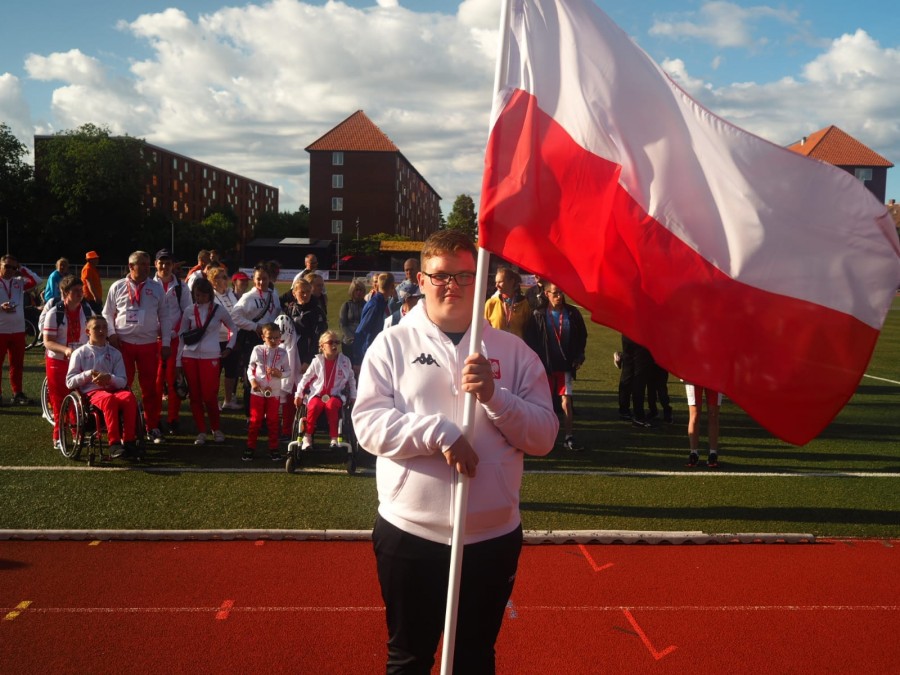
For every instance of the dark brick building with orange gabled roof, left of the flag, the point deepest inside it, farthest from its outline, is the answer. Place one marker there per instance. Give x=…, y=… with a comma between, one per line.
x=361, y=184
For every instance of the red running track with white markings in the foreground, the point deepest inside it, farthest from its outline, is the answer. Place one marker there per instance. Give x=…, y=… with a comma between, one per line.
x=314, y=607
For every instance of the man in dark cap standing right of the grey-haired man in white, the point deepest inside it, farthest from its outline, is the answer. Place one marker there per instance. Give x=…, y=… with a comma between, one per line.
x=177, y=300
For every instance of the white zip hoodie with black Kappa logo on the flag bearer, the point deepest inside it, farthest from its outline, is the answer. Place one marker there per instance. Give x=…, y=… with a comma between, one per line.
x=409, y=410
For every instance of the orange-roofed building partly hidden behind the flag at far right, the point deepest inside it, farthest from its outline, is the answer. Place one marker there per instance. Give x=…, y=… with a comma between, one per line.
x=839, y=148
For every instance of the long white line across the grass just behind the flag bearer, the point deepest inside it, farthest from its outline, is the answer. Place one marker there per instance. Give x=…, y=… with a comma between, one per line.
x=549, y=472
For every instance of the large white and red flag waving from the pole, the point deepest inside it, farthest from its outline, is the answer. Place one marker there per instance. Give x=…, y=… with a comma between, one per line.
x=742, y=266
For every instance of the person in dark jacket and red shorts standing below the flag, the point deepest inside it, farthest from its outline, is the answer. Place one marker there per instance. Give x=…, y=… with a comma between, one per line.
x=559, y=337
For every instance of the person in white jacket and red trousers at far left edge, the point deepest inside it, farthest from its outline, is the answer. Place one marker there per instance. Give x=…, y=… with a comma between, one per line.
x=15, y=281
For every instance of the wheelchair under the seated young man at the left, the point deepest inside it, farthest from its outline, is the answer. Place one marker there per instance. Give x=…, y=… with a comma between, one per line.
x=82, y=427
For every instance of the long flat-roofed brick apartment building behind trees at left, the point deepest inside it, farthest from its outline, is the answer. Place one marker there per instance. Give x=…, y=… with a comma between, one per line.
x=184, y=188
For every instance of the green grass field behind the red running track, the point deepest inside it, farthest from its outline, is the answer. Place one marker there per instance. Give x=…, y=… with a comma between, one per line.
x=624, y=479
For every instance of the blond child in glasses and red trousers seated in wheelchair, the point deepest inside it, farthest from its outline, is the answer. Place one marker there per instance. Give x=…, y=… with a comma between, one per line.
x=329, y=374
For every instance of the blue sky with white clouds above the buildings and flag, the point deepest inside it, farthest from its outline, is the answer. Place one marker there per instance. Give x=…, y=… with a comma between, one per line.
x=247, y=86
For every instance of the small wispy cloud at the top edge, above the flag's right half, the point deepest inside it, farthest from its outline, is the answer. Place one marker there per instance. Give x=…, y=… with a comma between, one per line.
x=723, y=24
